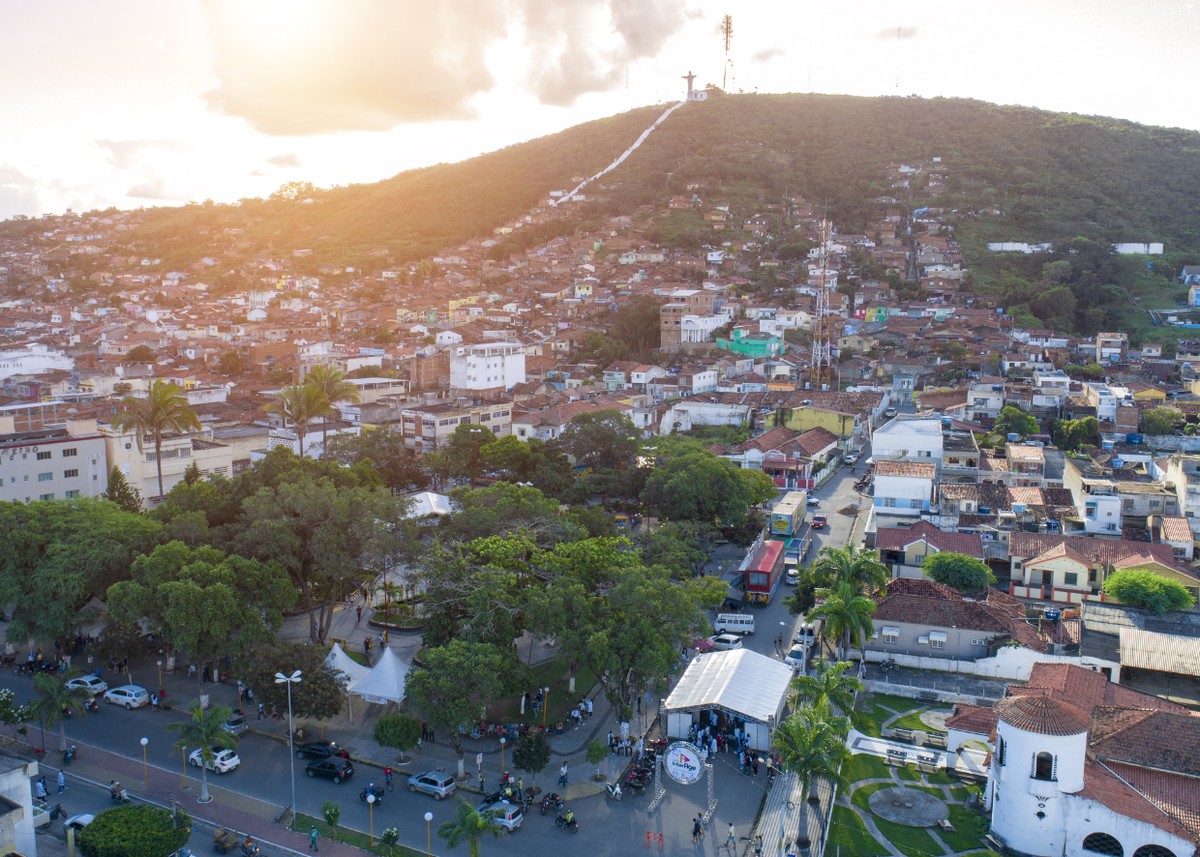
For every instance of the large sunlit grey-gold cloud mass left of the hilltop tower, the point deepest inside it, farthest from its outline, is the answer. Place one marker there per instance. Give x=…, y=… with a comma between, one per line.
x=309, y=67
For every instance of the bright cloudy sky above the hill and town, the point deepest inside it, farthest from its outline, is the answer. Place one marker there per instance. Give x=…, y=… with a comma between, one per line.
x=134, y=104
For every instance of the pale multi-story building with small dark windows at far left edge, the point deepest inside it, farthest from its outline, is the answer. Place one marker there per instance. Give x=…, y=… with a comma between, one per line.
x=53, y=463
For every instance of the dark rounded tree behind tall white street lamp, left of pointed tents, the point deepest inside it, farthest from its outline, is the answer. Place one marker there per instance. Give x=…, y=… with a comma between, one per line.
x=321, y=692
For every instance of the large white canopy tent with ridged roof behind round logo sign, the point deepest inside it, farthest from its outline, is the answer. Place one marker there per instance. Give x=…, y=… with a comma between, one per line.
x=742, y=685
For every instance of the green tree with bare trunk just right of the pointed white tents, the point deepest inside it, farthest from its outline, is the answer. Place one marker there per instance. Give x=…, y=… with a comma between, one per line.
x=455, y=680
